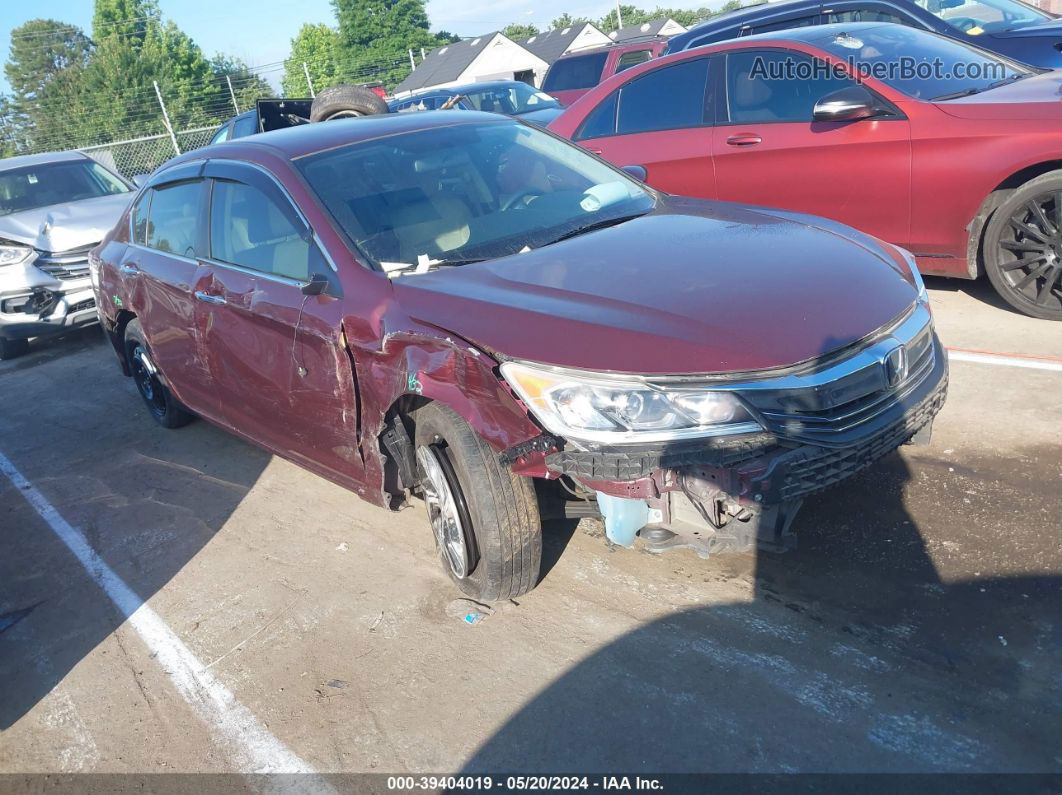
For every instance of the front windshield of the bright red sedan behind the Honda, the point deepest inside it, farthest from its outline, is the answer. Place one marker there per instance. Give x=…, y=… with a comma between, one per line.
x=922, y=65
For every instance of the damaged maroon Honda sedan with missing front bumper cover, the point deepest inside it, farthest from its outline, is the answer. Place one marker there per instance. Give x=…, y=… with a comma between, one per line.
x=466, y=308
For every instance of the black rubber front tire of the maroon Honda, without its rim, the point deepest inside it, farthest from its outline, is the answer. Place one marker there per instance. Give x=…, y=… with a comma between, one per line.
x=505, y=529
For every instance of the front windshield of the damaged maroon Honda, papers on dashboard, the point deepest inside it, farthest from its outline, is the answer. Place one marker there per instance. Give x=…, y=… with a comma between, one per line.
x=468, y=192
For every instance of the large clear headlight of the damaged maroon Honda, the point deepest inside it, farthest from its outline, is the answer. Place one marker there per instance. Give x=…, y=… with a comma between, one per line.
x=616, y=411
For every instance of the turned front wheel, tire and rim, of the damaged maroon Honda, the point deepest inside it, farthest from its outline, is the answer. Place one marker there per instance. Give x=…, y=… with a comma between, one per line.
x=485, y=519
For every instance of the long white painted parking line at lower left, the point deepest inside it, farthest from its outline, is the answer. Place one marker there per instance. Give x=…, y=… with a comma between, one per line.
x=253, y=749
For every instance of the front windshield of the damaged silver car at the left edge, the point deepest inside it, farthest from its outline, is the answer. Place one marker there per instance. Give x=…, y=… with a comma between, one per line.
x=31, y=187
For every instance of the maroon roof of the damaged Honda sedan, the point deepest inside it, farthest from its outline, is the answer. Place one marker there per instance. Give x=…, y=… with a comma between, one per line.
x=306, y=140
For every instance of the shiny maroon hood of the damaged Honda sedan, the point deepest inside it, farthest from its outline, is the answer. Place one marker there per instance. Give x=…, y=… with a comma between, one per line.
x=694, y=287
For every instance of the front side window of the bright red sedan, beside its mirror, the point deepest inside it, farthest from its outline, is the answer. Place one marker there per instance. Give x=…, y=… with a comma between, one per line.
x=777, y=87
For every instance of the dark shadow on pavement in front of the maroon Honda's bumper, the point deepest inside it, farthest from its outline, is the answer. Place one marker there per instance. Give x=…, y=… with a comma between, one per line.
x=851, y=654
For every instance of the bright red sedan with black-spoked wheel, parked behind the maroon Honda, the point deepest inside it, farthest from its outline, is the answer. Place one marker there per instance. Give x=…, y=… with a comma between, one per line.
x=941, y=148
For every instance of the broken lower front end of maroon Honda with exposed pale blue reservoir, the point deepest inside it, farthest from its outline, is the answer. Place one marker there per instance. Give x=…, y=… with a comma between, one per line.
x=742, y=494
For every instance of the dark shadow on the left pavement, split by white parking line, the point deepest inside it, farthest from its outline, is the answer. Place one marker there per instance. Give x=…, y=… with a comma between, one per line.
x=147, y=500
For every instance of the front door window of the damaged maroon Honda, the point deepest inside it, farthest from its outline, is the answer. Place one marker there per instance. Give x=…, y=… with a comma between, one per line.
x=251, y=230
